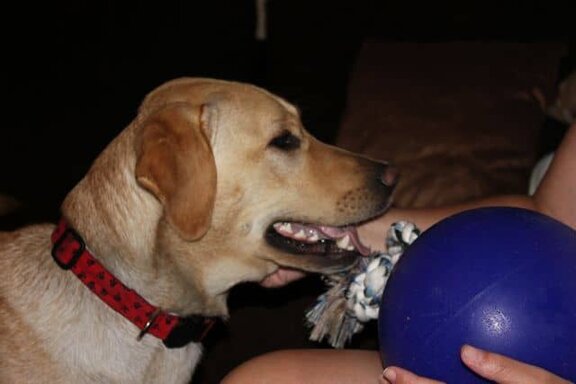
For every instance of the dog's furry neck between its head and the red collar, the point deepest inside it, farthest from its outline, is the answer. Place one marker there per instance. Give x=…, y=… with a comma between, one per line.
x=130, y=245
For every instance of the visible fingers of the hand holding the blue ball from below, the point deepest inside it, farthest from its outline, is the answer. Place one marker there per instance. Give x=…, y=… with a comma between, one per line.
x=492, y=366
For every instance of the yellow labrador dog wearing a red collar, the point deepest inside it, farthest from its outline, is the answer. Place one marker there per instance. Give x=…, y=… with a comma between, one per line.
x=214, y=183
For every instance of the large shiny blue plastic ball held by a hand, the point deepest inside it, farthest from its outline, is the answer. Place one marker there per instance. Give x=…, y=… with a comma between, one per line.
x=498, y=278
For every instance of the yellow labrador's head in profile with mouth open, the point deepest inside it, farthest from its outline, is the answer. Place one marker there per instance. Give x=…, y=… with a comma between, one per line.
x=243, y=189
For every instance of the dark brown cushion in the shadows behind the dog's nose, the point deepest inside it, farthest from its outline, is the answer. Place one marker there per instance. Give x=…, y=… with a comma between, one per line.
x=460, y=119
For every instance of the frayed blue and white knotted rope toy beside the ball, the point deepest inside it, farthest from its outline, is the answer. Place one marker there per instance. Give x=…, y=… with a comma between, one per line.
x=353, y=297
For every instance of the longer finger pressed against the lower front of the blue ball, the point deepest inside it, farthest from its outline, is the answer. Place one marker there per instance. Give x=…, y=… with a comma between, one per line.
x=505, y=370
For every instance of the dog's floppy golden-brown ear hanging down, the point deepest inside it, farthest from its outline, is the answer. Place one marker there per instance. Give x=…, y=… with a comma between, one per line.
x=176, y=164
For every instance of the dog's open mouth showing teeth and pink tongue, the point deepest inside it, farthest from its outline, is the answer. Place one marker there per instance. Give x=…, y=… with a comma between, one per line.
x=316, y=240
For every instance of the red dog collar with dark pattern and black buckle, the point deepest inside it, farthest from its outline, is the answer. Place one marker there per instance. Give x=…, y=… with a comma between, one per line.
x=70, y=253
